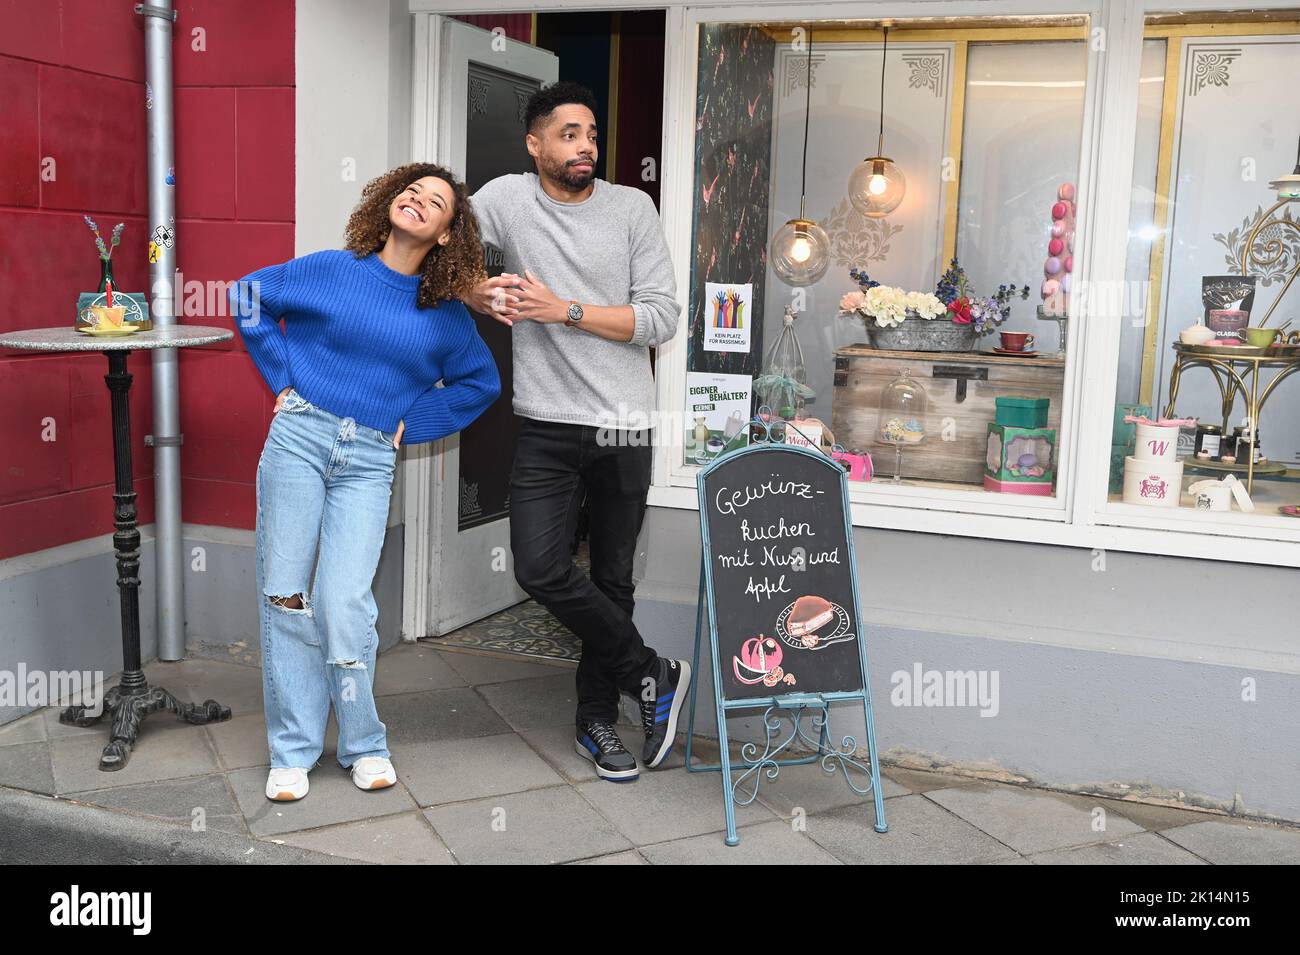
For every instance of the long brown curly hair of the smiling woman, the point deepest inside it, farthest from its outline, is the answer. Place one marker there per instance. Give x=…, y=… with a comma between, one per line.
x=448, y=272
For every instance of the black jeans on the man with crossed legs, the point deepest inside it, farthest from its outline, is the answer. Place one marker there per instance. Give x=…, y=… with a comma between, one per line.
x=552, y=463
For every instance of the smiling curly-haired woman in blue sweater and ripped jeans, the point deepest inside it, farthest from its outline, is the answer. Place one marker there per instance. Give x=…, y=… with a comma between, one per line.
x=367, y=335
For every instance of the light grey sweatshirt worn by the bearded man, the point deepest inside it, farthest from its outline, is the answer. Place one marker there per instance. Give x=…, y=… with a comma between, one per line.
x=608, y=250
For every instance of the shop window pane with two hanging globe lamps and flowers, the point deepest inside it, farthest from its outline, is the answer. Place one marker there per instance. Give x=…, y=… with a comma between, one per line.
x=983, y=119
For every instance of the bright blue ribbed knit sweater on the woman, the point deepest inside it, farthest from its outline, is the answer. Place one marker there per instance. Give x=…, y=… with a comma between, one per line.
x=356, y=345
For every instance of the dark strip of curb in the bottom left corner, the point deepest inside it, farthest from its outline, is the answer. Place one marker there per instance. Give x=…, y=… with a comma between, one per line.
x=38, y=830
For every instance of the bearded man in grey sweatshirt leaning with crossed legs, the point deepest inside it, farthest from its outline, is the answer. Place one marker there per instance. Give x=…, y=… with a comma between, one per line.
x=591, y=288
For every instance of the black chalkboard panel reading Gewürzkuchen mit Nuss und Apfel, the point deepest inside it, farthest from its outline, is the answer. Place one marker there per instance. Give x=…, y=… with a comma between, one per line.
x=779, y=574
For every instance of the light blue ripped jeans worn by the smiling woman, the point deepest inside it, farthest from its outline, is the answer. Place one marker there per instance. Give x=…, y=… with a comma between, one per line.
x=324, y=485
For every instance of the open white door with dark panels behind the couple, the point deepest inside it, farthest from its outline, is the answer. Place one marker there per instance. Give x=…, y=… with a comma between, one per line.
x=469, y=102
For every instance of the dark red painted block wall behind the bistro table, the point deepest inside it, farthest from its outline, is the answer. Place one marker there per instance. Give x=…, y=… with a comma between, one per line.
x=73, y=76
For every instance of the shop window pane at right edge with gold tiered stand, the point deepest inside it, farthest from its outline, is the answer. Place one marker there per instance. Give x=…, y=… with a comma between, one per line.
x=1211, y=335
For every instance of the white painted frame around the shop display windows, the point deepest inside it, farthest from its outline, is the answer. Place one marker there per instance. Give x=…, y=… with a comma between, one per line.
x=1080, y=515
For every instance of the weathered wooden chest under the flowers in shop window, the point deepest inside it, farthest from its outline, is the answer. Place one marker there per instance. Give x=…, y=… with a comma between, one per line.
x=861, y=372
